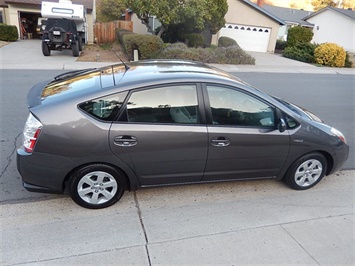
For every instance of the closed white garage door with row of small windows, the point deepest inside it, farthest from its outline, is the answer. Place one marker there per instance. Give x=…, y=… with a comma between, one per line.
x=249, y=38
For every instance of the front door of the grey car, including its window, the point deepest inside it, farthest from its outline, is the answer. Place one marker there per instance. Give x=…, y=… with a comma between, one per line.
x=243, y=138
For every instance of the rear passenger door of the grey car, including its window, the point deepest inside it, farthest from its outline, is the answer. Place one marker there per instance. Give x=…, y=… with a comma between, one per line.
x=161, y=136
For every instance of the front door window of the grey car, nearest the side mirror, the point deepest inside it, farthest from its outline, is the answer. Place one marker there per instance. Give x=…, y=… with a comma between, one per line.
x=236, y=108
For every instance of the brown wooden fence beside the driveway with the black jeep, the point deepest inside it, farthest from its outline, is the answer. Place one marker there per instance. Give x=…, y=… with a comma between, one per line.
x=105, y=32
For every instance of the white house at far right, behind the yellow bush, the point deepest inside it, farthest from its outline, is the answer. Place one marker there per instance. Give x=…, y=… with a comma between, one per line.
x=334, y=25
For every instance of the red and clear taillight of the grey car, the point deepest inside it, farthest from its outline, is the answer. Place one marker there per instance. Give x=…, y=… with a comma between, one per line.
x=31, y=133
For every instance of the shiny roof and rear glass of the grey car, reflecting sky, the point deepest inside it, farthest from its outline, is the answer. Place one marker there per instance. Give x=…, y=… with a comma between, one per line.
x=111, y=79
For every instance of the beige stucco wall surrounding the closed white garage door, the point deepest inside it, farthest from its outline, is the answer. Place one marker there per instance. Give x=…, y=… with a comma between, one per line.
x=241, y=13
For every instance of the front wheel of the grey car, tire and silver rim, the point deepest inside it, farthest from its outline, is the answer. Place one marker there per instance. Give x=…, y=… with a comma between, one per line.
x=306, y=172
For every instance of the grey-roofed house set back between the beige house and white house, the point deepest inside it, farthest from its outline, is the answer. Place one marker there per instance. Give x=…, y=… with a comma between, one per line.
x=292, y=17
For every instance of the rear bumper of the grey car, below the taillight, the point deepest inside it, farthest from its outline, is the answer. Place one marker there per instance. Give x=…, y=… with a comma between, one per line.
x=43, y=172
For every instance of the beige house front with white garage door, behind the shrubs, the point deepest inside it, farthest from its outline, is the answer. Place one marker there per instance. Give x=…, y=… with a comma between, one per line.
x=254, y=28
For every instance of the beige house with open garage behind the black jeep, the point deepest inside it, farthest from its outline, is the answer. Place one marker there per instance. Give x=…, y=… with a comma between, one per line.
x=17, y=12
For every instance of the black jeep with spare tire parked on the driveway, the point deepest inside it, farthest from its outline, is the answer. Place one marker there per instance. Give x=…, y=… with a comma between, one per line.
x=59, y=34
